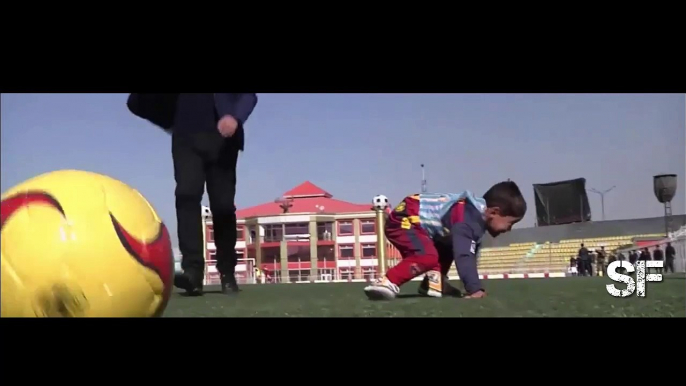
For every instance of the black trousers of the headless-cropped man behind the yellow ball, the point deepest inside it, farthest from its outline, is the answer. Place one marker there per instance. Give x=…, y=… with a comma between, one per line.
x=205, y=158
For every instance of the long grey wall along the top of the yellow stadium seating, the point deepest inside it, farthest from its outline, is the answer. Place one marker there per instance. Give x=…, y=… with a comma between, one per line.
x=555, y=233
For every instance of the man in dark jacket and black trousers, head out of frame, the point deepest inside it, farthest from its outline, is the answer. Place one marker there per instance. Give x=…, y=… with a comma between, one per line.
x=207, y=134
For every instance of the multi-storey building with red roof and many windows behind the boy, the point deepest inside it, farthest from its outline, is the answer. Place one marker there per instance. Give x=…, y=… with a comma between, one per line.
x=304, y=235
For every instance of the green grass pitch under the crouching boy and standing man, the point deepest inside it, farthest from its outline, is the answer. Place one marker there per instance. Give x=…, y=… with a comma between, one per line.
x=568, y=297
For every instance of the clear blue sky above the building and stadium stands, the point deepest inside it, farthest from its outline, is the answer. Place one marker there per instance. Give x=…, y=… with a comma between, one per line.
x=359, y=145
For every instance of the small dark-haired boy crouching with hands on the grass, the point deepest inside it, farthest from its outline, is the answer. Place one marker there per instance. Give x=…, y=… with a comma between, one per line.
x=434, y=229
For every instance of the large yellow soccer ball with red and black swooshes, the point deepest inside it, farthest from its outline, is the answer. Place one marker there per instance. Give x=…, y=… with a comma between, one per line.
x=81, y=244
